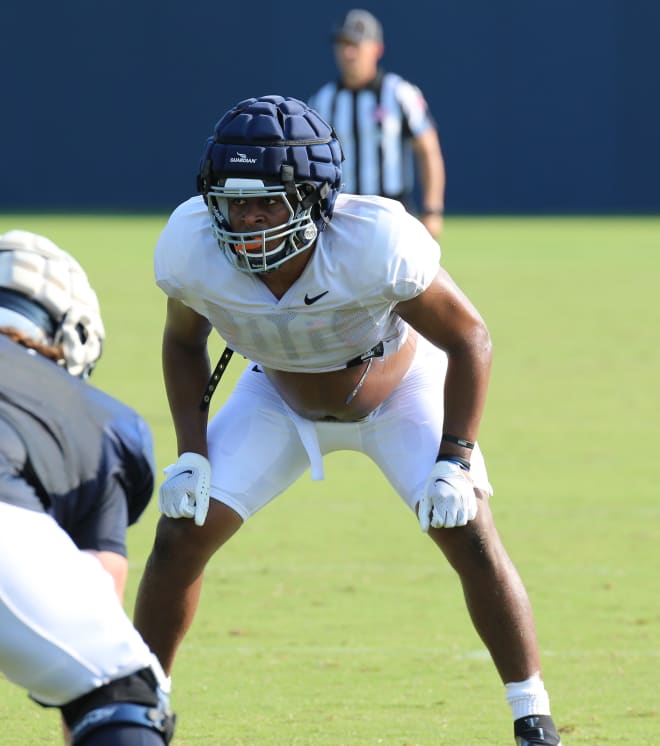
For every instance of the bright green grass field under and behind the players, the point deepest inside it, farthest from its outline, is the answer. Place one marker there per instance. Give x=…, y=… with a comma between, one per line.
x=331, y=620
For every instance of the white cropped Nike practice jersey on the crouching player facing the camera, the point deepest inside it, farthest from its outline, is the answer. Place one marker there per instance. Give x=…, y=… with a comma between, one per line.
x=372, y=255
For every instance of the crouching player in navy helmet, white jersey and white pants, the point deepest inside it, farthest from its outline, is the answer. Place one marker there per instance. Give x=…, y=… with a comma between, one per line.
x=357, y=339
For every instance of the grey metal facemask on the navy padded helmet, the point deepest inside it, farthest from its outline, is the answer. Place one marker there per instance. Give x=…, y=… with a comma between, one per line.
x=253, y=251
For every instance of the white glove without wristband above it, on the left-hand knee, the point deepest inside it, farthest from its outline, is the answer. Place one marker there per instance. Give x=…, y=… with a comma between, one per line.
x=185, y=492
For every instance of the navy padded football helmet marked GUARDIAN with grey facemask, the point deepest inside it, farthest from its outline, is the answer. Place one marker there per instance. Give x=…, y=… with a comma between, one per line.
x=271, y=147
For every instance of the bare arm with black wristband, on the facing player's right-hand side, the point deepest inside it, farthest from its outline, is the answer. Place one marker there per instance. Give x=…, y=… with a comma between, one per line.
x=447, y=318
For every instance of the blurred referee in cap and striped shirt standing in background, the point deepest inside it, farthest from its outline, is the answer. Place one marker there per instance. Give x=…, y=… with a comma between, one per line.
x=382, y=120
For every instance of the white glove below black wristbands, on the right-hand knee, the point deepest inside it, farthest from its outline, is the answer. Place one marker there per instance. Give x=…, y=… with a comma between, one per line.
x=449, y=499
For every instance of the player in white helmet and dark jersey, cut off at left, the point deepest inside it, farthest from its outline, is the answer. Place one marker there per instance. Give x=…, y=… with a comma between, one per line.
x=76, y=468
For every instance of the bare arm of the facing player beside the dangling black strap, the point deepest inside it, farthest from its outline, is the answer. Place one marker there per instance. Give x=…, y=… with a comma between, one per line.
x=186, y=371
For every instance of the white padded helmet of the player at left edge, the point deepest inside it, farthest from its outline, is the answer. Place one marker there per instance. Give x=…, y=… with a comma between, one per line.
x=36, y=276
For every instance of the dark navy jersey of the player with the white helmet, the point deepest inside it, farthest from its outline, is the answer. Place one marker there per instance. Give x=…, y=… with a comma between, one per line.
x=71, y=450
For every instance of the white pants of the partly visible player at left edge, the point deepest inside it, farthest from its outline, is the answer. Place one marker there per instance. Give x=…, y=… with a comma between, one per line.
x=63, y=631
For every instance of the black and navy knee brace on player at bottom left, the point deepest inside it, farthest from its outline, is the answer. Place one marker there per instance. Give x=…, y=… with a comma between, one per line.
x=131, y=711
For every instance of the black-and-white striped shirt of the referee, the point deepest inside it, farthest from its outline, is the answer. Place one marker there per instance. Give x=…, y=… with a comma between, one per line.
x=376, y=126
